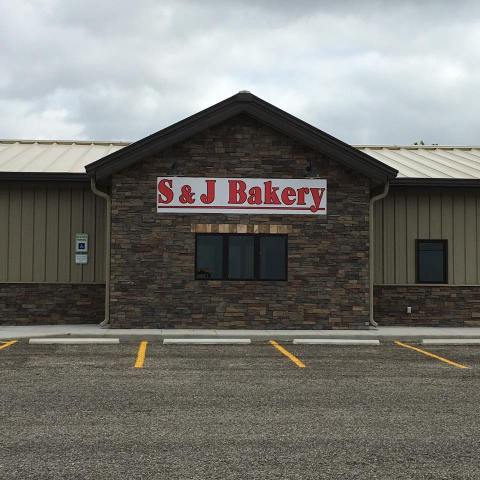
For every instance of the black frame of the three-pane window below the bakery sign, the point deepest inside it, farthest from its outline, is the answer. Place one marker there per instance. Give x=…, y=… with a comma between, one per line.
x=256, y=257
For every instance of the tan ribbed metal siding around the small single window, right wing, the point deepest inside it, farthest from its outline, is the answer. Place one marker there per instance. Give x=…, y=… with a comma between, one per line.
x=405, y=215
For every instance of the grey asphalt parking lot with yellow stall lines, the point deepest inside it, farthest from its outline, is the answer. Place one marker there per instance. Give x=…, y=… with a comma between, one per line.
x=236, y=412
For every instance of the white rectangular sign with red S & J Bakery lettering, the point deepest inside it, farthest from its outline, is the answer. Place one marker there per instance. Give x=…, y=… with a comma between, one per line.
x=251, y=196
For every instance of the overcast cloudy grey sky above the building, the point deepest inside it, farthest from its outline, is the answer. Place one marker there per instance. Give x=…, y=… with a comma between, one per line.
x=365, y=71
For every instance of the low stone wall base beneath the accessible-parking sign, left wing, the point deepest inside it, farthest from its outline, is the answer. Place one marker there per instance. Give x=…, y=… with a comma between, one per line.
x=51, y=303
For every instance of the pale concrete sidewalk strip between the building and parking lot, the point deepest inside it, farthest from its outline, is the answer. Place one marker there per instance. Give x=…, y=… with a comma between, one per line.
x=382, y=333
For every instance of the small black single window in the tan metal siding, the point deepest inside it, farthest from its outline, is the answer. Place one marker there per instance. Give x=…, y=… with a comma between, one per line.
x=432, y=261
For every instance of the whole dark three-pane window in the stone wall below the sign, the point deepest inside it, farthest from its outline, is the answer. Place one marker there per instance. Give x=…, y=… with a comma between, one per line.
x=241, y=257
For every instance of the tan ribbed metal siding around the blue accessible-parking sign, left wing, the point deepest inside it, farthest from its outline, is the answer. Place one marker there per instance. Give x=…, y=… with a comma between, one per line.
x=37, y=232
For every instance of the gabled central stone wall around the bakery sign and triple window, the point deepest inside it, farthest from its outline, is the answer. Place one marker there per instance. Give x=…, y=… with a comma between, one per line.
x=153, y=255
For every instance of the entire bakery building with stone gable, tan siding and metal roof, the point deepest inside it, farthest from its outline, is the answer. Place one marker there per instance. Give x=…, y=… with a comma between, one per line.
x=240, y=216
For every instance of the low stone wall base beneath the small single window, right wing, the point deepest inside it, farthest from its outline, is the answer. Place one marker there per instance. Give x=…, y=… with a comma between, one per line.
x=432, y=305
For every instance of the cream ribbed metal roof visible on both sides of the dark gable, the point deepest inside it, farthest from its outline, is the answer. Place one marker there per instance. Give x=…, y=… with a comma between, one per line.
x=412, y=161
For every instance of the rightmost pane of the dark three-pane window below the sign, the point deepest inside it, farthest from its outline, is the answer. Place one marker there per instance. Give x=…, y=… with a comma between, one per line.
x=273, y=257
